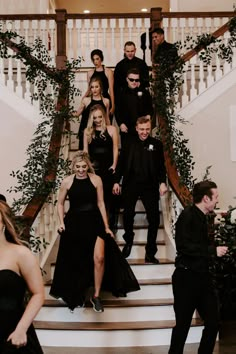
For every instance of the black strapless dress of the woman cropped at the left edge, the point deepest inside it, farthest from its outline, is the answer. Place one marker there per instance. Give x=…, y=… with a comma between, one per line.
x=12, y=293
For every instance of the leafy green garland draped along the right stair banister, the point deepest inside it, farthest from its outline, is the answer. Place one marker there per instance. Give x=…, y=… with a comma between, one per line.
x=167, y=82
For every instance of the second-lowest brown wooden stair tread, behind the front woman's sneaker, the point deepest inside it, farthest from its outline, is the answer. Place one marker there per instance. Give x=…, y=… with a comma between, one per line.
x=116, y=302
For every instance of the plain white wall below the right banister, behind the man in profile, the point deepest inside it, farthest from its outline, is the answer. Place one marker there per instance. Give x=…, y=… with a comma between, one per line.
x=210, y=144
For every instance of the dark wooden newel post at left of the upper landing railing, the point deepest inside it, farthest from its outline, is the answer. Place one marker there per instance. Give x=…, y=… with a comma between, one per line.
x=61, y=38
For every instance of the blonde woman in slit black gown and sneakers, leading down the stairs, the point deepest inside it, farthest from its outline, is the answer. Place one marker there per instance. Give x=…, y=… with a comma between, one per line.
x=86, y=242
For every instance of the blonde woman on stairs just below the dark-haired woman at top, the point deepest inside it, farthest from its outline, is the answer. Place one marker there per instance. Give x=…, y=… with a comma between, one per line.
x=95, y=97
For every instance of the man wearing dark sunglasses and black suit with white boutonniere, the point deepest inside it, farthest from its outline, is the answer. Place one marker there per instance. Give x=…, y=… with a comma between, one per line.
x=134, y=102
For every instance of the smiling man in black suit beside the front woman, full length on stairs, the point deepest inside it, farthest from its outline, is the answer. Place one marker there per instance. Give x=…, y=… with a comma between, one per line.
x=141, y=163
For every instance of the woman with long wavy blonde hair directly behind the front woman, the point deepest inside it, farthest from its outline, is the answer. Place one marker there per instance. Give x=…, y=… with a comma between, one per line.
x=101, y=142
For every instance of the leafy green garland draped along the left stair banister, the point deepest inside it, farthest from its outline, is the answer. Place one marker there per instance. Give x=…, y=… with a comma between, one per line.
x=50, y=84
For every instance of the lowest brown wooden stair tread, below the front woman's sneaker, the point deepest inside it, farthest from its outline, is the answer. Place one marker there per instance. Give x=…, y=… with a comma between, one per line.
x=98, y=326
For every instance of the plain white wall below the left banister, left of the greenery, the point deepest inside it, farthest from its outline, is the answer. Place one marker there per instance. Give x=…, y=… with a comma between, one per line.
x=18, y=123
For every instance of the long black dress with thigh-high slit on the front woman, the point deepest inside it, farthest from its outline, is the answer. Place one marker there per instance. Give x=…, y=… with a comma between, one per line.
x=74, y=266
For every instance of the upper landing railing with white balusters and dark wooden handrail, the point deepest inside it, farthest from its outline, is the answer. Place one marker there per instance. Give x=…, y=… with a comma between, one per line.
x=74, y=35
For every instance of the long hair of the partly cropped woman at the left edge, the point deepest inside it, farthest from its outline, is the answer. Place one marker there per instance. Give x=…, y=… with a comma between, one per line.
x=9, y=223
